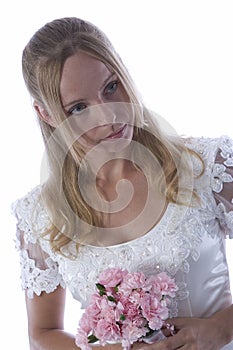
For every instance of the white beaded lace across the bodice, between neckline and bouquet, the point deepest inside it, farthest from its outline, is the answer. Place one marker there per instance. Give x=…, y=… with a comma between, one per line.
x=167, y=248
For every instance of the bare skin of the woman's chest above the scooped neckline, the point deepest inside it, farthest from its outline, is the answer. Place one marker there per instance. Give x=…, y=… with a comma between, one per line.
x=132, y=208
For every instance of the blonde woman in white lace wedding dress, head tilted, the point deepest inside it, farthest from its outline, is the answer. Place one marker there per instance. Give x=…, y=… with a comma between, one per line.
x=120, y=190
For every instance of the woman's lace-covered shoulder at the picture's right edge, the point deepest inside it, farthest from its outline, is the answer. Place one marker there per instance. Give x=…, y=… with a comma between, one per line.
x=215, y=185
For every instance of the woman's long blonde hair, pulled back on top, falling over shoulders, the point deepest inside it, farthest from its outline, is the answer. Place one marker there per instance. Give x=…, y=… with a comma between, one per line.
x=42, y=62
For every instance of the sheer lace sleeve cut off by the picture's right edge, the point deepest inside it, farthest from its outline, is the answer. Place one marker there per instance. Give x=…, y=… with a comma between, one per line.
x=222, y=185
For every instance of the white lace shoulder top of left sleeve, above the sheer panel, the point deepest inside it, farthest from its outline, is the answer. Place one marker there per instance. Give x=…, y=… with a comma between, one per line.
x=30, y=213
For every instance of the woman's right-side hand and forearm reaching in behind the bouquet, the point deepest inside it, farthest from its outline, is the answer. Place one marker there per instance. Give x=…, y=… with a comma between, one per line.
x=195, y=333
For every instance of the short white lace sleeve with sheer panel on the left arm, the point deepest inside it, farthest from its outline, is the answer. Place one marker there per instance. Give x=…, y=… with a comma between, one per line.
x=39, y=268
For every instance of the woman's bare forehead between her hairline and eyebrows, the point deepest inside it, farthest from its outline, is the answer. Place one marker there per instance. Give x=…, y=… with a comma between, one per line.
x=81, y=73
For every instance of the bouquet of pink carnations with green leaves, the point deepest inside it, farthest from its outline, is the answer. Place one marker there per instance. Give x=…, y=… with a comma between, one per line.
x=126, y=307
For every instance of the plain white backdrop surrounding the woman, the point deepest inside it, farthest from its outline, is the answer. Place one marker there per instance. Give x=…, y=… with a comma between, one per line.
x=180, y=54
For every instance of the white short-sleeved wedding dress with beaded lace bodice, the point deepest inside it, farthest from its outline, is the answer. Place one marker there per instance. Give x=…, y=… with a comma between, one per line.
x=188, y=243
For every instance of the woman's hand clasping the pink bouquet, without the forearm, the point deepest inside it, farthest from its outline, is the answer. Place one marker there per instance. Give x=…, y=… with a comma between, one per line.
x=192, y=334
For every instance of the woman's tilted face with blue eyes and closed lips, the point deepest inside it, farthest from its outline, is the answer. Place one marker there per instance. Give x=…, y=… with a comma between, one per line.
x=96, y=103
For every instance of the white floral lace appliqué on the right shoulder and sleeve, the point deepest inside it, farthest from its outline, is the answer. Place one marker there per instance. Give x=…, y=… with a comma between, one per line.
x=213, y=214
